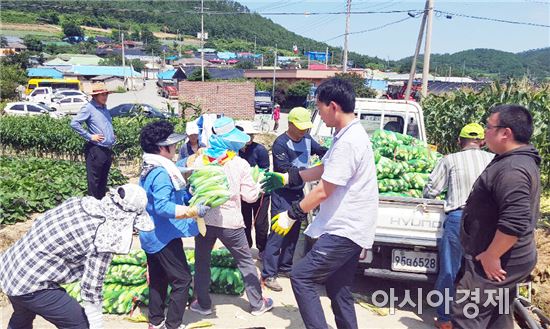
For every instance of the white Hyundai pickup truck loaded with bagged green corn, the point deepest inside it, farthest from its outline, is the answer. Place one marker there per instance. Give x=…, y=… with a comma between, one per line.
x=408, y=229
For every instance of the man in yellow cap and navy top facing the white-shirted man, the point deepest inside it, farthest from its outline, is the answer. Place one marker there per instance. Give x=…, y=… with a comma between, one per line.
x=290, y=150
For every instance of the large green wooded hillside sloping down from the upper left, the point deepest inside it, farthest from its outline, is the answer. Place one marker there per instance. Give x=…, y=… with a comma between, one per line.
x=227, y=20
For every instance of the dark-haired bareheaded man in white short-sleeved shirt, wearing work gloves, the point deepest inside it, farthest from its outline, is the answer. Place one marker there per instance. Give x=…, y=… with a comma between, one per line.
x=348, y=198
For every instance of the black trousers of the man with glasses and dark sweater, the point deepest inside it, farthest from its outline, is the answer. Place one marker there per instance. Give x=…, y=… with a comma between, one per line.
x=491, y=300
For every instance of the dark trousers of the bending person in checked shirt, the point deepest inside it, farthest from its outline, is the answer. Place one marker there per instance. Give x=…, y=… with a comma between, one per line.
x=54, y=305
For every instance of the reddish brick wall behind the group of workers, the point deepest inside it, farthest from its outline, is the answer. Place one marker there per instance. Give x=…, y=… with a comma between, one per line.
x=233, y=99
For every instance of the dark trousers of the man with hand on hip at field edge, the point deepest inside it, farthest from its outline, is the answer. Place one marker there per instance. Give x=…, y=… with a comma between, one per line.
x=98, y=164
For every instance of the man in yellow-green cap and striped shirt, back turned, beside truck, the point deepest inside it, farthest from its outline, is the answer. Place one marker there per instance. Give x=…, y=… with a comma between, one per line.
x=455, y=173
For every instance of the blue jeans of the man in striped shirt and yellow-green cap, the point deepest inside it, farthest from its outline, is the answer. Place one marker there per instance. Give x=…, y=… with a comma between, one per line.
x=450, y=257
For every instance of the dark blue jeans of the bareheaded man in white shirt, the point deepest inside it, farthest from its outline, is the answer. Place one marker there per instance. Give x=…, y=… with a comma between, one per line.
x=331, y=262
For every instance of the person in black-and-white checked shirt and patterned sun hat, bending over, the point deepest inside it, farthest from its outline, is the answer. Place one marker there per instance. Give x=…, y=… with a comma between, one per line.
x=74, y=241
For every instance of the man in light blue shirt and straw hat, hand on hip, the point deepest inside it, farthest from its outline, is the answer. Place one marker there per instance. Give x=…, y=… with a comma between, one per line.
x=100, y=138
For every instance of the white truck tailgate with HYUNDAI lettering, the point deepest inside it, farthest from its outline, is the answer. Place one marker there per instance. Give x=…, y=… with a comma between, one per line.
x=409, y=221
